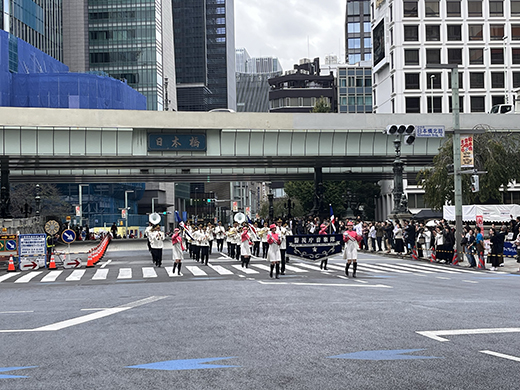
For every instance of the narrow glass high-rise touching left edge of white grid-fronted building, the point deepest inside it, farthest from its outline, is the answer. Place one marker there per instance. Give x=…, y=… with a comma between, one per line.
x=358, y=32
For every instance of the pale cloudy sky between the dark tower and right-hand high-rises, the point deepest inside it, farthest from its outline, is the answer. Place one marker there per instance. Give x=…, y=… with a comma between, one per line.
x=290, y=29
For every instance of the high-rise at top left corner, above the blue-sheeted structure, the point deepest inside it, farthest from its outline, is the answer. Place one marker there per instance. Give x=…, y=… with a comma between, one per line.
x=37, y=22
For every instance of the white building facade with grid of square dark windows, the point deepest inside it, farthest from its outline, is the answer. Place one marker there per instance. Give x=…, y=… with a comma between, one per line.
x=481, y=37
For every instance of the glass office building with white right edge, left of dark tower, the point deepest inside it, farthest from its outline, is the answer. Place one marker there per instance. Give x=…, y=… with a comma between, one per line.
x=133, y=40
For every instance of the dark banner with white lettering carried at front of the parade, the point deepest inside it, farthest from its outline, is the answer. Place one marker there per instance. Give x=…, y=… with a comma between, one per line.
x=316, y=247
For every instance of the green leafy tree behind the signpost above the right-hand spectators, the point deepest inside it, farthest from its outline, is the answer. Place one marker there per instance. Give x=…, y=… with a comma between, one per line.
x=496, y=153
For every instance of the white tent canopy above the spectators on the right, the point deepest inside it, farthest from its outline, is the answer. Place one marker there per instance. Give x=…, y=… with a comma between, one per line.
x=490, y=212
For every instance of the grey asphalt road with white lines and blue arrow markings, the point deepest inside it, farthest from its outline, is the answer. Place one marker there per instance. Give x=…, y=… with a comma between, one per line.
x=308, y=330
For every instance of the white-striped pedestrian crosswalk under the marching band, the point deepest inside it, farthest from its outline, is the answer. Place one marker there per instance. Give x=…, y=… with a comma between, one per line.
x=194, y=270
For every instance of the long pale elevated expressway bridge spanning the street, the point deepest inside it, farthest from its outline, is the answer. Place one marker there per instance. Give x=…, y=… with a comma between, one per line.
x=66, y=145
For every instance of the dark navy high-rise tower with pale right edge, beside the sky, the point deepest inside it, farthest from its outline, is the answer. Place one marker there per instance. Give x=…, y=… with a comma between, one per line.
x=204, y=54
